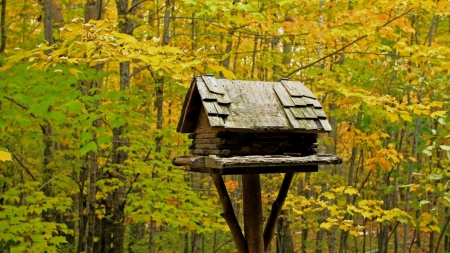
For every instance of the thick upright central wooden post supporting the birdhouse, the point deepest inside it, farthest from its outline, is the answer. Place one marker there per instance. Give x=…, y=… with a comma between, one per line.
x=253, y=220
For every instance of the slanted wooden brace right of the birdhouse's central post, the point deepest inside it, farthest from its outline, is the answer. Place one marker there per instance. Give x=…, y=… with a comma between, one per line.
x=269, y=230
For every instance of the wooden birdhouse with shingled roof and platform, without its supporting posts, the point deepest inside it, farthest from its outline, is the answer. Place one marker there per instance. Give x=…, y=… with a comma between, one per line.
x=278, y=121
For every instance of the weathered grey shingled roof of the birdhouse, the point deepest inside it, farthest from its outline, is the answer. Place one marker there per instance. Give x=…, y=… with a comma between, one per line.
x=253, y=105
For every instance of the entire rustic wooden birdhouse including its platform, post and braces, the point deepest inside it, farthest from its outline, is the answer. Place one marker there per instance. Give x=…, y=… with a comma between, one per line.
x=250, y=128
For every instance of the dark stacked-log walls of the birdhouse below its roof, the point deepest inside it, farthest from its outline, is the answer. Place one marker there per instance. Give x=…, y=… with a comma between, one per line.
x=207, y=141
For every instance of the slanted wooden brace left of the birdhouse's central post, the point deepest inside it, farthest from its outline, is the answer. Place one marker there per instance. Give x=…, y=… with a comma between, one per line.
x=229, y=216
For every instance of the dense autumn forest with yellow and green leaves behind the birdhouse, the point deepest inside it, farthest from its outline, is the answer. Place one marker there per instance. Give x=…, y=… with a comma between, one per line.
x=91, y=92
